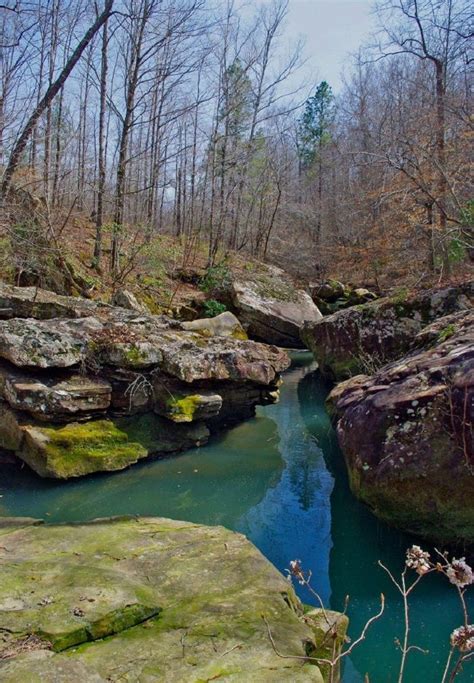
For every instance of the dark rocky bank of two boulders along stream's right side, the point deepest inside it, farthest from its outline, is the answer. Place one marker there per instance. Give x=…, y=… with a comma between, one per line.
x=405, y=425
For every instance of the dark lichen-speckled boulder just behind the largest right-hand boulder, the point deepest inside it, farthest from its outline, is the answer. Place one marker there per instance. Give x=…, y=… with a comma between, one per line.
x=362, y=338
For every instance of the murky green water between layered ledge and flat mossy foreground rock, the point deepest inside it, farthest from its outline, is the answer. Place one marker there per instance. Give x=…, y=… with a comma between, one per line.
x=211, y=485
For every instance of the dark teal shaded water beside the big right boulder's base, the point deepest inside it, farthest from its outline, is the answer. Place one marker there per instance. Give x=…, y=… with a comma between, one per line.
x=359, y=542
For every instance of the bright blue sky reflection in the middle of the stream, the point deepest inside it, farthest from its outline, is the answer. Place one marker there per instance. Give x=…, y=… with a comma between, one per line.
x=293, y=521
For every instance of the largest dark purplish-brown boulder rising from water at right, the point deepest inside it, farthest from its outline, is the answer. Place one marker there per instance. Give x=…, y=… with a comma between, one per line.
x=407, y=434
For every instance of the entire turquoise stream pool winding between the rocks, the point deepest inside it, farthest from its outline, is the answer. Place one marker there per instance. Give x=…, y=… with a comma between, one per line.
x=278, y=478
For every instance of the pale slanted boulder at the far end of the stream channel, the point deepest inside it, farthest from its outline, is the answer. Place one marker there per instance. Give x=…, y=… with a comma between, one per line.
x=272, y=309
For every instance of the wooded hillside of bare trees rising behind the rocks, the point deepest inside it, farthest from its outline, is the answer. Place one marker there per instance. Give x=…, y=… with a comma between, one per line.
x=137, y=130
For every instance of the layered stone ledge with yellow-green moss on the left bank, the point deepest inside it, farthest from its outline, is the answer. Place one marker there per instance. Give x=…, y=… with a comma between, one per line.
x=72, y=371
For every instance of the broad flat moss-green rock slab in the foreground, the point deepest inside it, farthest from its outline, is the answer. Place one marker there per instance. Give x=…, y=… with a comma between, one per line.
x=150, y=599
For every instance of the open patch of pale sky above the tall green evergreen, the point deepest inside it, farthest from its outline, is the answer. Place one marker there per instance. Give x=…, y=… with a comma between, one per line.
x=332, y=29
